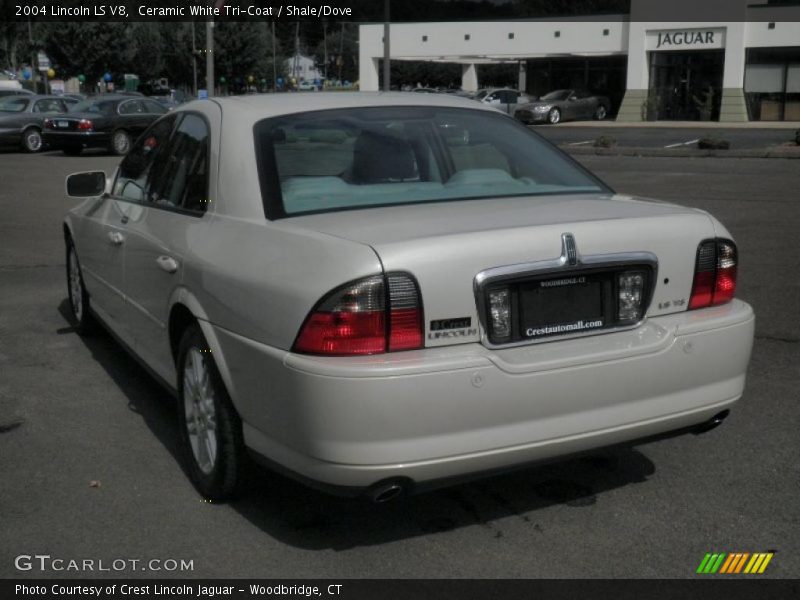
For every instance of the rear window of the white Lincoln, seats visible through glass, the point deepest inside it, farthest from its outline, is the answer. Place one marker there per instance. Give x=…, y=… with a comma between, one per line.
x=356, y=158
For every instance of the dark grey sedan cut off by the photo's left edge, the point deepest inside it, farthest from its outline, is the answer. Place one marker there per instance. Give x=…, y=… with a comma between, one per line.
x=22, y=118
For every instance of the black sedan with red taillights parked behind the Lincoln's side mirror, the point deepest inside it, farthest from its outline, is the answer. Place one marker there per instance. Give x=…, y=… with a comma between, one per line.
x=107, y=121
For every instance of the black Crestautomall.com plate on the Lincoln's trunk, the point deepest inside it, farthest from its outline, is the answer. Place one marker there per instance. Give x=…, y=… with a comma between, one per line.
x=561, y=306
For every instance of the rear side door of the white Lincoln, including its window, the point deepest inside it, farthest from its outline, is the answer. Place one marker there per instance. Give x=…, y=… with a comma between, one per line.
x=175, y=200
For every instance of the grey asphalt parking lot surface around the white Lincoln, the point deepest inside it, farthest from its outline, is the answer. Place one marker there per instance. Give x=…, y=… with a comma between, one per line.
x=88, y=451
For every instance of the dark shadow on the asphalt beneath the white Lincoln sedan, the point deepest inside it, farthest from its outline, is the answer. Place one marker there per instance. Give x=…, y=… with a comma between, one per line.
x=305, y=518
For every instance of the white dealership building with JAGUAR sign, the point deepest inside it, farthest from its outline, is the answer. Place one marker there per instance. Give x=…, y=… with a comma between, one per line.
x=736, y=60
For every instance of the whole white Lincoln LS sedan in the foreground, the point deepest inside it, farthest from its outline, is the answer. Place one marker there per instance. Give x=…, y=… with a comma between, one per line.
x=376, y=293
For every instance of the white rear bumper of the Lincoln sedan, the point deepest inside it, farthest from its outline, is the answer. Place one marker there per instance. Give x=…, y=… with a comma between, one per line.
x=450, y=412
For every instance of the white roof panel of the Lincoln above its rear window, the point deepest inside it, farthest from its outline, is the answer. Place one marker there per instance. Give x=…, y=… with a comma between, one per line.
x=261, y=106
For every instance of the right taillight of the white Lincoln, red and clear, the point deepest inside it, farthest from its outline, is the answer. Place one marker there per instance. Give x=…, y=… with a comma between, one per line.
x=714, y=274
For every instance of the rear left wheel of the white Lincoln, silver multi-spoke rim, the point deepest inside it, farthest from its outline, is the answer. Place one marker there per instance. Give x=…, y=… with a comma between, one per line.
x=210, y=427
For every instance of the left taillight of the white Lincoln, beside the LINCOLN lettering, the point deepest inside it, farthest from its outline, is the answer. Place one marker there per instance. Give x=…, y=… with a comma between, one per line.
x=359, y=318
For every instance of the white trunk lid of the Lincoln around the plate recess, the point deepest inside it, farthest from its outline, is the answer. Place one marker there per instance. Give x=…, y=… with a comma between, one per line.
x=445, y=246
